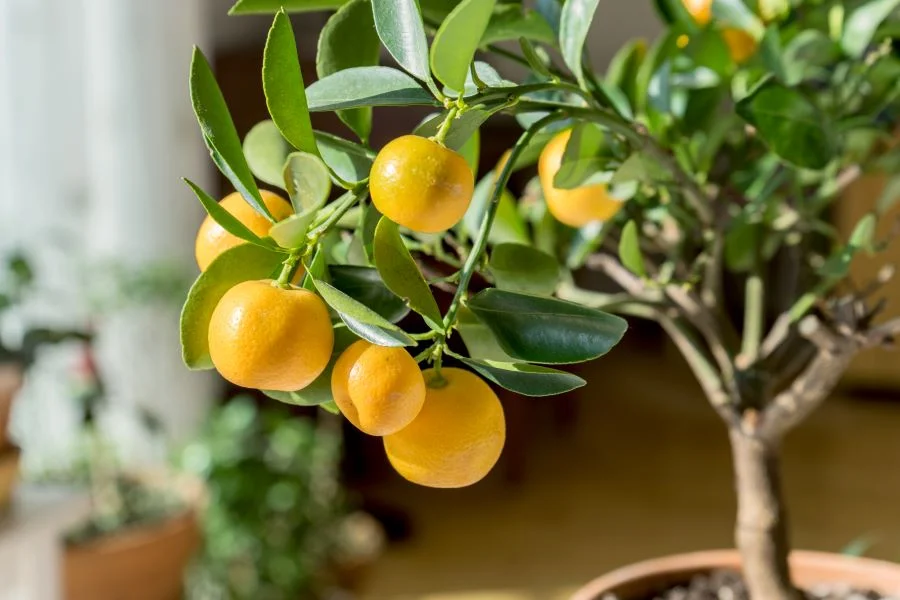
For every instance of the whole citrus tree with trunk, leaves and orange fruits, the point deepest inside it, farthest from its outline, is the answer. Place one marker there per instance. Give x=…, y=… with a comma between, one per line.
x=696, y=173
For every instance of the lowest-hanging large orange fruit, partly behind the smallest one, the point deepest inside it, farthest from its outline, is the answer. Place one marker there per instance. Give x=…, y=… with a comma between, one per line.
x=457, y=437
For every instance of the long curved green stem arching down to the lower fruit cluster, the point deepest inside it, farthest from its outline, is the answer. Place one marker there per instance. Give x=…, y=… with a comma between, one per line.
x=474, y=257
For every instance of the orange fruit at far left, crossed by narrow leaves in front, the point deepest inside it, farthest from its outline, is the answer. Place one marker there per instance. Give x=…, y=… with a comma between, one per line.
x=213, y=240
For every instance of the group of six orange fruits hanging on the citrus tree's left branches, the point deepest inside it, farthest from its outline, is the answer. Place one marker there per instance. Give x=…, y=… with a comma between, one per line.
x=441, y=428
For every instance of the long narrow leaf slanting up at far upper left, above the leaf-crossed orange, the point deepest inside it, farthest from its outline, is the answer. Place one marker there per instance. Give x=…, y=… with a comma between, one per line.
x=219, y=133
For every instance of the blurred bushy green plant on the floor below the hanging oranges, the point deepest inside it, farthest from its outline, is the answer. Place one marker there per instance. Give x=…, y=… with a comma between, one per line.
x=275, y=519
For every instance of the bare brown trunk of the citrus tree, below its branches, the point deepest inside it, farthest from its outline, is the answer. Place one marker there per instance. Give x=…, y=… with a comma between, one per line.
x=761, y=530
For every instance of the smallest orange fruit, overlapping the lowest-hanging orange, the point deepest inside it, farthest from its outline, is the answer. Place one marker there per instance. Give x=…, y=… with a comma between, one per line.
x=380, y=390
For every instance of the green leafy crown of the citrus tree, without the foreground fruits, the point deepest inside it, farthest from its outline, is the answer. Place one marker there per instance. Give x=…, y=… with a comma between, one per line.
x=724, y=163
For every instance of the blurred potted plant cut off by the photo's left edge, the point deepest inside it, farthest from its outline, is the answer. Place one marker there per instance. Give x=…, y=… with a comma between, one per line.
x=18, y=351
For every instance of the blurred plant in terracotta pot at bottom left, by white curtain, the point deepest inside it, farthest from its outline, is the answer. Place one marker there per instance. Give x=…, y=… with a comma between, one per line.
x=142, y=530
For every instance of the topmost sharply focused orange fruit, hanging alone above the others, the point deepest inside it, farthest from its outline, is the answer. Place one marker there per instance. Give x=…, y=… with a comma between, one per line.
x=420, y=184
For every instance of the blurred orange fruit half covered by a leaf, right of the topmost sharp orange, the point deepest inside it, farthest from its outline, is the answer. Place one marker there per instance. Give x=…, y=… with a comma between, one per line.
x=575, y=207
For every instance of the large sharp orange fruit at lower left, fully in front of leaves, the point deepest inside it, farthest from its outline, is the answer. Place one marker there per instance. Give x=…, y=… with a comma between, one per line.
x=269, y=338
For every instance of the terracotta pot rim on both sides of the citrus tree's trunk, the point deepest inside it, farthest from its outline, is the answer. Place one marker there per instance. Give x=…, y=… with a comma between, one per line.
x=637, y=581
